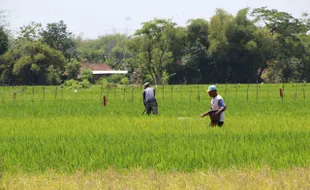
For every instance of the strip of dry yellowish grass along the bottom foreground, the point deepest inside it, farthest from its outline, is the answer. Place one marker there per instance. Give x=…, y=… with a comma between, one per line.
x=140, y=179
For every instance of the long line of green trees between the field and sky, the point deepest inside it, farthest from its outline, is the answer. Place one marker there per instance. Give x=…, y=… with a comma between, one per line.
x=254, y=45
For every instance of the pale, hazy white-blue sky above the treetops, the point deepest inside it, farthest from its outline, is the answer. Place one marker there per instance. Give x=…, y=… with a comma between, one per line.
x=92, y=18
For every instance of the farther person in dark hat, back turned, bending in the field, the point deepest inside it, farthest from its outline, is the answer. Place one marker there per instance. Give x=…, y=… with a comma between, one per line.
x=149, y=99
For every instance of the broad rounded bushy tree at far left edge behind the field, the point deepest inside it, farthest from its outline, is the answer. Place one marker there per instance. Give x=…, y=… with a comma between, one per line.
x=32, y=63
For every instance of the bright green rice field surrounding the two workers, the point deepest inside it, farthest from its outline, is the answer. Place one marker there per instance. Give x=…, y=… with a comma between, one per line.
x=61, y=131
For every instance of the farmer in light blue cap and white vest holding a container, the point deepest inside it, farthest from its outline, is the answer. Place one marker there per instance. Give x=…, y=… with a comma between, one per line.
x=217, y=108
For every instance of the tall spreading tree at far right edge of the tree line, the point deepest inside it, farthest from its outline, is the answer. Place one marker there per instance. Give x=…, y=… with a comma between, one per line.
x=288, y=49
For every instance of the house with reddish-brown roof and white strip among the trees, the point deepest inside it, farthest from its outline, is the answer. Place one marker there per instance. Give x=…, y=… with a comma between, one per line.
x=99, y=70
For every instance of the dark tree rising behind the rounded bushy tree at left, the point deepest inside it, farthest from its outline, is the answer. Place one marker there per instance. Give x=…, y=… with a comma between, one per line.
x=57, y=37
